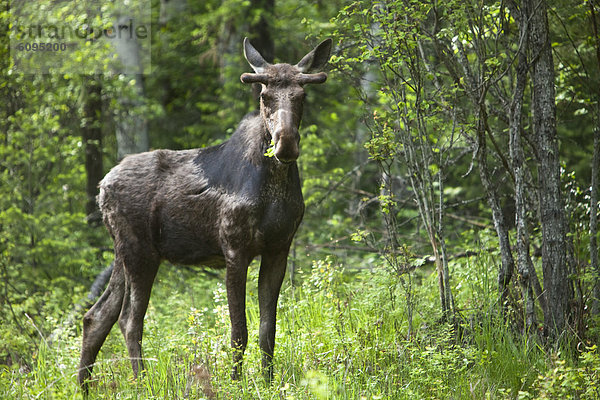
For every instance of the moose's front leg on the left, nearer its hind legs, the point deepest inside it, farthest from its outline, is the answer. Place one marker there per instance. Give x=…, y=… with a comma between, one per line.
x=237, y=270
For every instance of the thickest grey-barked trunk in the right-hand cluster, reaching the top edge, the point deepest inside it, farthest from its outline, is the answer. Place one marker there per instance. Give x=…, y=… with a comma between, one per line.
x=557, y=284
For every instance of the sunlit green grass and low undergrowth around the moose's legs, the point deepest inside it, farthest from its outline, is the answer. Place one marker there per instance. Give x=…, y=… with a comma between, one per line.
x=340, y=336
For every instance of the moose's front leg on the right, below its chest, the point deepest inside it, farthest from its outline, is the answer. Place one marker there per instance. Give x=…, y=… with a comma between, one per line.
x=272, y=271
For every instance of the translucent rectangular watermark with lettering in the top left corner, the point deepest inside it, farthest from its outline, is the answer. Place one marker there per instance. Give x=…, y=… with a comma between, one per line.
x=87, y=37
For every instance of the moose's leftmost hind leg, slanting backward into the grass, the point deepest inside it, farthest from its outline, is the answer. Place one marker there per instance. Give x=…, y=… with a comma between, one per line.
x=98, y=322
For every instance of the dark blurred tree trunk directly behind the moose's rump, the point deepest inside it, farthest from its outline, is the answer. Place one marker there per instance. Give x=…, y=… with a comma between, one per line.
x=92, y=141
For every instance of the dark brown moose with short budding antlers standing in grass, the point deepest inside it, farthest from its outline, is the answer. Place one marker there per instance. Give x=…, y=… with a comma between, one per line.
x=219, y=206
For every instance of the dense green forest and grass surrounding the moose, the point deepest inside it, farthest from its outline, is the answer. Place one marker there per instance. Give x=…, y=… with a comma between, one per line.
x=450, y=174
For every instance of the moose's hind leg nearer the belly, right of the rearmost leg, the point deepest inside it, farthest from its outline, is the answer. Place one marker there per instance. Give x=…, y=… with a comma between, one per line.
x=140, y=276
